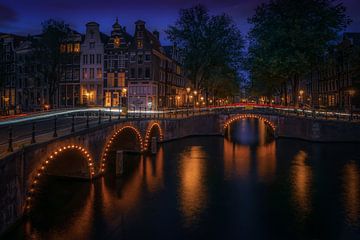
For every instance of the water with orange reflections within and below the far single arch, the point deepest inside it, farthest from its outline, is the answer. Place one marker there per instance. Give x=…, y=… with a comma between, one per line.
x=248, y=147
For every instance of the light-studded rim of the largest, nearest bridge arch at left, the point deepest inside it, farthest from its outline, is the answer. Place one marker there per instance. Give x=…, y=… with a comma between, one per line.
x=45, y=164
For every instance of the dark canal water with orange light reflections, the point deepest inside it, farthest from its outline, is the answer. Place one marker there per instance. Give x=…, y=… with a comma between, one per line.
x=244, y=186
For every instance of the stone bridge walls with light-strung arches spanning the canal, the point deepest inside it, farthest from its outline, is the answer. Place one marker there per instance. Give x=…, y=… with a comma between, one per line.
x=84, y=154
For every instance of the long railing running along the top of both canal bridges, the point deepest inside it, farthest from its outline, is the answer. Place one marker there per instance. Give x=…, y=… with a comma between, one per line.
x=19, y=133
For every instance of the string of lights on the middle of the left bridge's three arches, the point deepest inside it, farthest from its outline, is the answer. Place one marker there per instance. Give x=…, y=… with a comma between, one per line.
x=114, y=138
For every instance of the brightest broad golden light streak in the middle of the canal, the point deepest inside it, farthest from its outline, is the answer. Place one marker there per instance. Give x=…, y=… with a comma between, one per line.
x=192, y=188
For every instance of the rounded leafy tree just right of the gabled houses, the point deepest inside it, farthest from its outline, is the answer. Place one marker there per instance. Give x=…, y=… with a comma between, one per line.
x=211, y=45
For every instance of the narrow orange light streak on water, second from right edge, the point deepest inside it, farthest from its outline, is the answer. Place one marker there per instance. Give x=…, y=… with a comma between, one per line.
x=301, y=181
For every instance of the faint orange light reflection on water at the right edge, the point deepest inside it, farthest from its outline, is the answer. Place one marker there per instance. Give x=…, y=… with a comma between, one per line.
x=352, y=192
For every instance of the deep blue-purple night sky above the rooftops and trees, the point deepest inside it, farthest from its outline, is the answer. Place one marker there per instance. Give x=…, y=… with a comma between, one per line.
x=24, y=16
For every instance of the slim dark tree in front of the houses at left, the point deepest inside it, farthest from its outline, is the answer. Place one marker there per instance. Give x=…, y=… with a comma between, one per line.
x=47, y=50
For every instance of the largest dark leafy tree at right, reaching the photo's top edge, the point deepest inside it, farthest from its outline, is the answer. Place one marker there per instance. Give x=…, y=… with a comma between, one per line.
x=287, y=38
